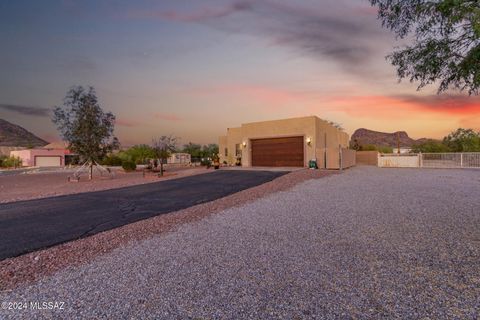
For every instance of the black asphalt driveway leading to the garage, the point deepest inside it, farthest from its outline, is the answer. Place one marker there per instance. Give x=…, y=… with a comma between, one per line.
x=31, y=225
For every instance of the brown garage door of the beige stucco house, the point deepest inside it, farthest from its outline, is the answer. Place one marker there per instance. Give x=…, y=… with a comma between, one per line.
x=278, y=152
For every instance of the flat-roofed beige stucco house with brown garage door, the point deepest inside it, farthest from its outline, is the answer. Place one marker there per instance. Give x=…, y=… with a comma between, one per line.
x=287, y=143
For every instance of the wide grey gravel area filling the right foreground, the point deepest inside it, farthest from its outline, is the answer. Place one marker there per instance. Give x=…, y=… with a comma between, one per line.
x=368, y=243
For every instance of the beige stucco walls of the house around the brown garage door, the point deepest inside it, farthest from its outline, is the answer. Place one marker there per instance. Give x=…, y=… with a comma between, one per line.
x=320, y=132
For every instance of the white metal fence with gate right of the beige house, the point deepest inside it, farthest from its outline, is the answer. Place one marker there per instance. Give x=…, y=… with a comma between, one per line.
x=430, y=160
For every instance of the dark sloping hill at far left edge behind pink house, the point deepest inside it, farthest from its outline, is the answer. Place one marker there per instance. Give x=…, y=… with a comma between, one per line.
x=12, y=135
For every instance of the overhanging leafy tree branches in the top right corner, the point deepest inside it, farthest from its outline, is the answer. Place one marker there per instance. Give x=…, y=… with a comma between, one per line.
x=446, y=41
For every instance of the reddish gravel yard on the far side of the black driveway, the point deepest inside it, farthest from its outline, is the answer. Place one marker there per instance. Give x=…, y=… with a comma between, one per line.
x=48, y=184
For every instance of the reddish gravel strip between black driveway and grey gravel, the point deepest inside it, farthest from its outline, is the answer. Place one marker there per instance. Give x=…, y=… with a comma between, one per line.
x=33, y=266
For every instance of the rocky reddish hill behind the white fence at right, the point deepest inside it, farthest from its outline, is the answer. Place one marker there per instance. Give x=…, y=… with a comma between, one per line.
x=383, y=139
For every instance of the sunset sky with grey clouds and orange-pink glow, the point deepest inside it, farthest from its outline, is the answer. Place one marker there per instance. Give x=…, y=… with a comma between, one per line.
x=193, y=68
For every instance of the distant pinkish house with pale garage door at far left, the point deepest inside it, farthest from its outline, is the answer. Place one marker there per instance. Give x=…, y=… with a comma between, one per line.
x=52, y=155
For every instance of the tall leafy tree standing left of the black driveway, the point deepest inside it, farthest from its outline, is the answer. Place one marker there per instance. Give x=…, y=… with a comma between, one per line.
x=85, y=126
